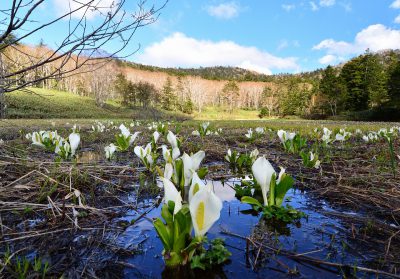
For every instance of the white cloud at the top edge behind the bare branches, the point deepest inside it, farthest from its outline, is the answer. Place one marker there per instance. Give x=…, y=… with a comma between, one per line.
x=85, y=7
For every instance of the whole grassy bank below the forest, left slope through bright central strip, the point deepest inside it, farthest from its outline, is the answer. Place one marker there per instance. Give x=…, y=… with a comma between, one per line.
x=46, y=104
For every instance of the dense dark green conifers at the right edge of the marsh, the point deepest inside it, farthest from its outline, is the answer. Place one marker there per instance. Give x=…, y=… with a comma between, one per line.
x=367, y=83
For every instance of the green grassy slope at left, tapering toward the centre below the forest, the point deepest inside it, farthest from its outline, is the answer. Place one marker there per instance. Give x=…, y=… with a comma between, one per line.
x=44, y=103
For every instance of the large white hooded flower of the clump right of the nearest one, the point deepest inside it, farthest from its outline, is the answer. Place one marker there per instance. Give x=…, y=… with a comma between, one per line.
x=263, y=172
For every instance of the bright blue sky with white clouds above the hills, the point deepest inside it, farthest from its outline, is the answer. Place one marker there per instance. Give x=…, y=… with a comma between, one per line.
x=269, y=36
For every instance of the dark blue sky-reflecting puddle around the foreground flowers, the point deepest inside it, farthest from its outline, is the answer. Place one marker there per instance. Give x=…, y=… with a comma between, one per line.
x=320, y=236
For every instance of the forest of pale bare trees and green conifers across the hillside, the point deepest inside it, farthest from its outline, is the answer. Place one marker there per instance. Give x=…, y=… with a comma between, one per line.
x=365, y=88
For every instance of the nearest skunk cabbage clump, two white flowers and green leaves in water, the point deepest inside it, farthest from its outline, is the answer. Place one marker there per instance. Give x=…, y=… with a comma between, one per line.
x=179, y=218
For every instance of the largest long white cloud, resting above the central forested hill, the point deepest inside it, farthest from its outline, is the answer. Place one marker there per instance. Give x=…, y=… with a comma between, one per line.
x=179, y=50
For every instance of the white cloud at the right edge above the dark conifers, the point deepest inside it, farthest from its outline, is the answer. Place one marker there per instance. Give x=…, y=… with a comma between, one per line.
x=375, y=37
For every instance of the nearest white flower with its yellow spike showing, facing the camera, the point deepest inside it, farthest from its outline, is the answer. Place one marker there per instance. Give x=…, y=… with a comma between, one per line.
x=205, y=208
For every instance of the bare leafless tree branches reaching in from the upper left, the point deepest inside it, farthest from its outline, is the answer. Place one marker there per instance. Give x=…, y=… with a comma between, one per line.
x=83, y=38
